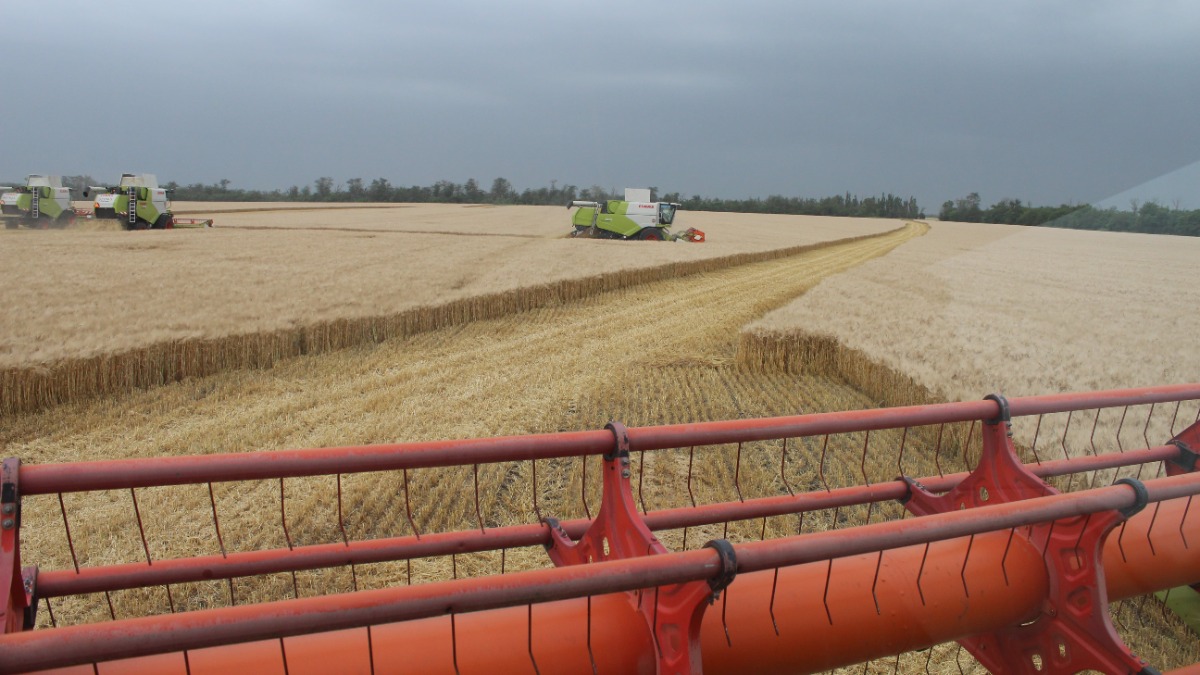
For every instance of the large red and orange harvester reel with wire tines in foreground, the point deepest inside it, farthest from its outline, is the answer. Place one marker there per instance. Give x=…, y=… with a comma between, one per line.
x=987, y=553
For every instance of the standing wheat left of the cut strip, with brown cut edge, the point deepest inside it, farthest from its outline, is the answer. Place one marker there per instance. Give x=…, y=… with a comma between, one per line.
x=188, y=306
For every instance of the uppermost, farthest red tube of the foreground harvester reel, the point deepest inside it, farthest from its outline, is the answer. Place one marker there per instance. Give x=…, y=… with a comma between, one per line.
x=245, y=467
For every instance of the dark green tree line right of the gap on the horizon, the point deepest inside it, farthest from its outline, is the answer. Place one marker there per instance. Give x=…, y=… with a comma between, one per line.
x=1150, y=218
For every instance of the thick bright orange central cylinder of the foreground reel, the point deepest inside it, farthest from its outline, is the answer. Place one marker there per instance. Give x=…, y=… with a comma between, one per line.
x=818, y=631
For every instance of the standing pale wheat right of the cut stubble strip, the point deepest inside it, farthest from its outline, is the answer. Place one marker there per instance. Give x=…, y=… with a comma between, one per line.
x=1021, y=310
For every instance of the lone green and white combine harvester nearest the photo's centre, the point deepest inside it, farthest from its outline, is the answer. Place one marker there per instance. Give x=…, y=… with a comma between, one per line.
x=635, y=218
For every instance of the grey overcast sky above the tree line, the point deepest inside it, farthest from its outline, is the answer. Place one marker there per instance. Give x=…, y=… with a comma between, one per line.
x=1051, y=103
